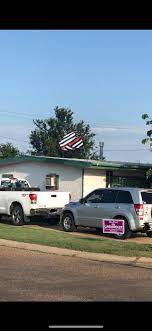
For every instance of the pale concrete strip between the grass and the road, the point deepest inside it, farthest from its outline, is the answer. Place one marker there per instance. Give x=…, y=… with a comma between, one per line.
x=132, y=261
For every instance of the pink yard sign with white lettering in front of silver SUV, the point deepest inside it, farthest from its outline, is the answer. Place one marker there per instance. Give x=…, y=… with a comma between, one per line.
x=113, y=226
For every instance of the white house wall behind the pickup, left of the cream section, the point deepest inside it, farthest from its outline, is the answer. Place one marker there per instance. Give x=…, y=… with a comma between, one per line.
x=70, y=178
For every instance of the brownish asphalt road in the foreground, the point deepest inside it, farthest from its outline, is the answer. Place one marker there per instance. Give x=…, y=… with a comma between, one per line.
x=33, y=276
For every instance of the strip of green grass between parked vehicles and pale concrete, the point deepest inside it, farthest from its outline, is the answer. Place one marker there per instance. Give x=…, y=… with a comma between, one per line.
x=65, y=240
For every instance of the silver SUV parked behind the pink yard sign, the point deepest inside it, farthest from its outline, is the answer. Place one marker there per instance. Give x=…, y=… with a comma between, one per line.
x=133, y=205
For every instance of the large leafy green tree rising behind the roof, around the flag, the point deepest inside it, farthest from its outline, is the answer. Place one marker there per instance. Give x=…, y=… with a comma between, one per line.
x=47, y=134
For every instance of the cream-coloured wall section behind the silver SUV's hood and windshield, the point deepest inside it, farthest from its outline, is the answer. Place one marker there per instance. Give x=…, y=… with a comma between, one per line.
x=93, y=179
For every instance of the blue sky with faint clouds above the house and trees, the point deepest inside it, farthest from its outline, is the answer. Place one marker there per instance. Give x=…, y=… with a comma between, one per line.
x=103, y=76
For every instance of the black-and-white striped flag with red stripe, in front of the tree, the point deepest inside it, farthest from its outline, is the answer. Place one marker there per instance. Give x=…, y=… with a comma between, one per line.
x=70, y=142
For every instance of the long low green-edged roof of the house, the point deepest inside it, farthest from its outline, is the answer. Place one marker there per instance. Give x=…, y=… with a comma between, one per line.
x=80, y=163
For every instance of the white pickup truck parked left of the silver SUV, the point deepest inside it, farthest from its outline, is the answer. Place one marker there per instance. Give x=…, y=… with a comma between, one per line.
x=20, y=201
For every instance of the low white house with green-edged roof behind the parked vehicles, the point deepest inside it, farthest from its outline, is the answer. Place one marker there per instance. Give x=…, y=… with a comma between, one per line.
x=77, y=176
